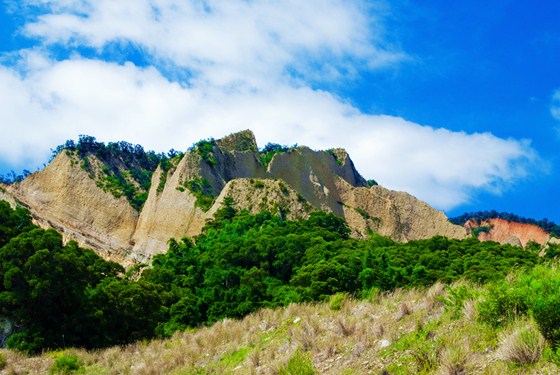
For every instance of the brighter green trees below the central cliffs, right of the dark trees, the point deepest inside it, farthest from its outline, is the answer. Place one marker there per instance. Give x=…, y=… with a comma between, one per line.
x=244, y=262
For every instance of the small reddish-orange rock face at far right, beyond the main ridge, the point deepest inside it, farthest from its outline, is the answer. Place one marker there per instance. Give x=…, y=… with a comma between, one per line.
x=504, y=231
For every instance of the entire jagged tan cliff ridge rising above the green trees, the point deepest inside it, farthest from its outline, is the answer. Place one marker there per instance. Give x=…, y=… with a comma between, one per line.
x=293, y=184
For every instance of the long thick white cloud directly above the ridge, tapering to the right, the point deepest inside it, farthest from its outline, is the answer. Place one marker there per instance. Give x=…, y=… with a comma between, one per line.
x=116, y=102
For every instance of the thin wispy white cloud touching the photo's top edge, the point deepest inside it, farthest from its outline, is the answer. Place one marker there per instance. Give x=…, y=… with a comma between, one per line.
x=226, y=42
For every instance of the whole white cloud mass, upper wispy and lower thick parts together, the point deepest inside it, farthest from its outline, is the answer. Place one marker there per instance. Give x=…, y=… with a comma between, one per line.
x=214, y=67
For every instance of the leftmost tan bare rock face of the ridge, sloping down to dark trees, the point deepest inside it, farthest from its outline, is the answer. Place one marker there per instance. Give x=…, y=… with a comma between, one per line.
x=64, y=197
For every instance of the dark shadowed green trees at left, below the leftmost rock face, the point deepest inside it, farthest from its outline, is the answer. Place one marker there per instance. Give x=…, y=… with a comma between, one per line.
x=63, y=295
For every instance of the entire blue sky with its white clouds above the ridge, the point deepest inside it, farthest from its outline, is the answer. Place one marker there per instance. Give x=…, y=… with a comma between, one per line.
x=458, y=105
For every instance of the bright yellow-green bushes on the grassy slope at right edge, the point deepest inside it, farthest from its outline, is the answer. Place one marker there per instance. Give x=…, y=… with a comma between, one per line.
x=535, y=293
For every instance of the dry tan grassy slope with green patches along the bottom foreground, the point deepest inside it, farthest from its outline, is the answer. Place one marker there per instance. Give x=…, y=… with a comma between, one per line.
x=405, y=332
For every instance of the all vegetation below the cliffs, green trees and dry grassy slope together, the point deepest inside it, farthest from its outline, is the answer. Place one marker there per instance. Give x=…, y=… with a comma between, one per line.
x=352, y=305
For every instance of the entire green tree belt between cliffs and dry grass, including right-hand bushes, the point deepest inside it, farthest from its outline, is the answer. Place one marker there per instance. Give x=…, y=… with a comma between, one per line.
x=57, y=296
